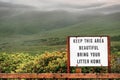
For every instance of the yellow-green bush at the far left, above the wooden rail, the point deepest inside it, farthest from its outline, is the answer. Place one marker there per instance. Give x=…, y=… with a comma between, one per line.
x=10, y=62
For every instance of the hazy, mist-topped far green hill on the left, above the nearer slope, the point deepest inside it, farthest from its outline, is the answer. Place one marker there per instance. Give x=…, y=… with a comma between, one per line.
x=35, y=22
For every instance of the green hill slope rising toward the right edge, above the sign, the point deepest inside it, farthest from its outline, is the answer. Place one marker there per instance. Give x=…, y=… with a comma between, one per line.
x=103, y=25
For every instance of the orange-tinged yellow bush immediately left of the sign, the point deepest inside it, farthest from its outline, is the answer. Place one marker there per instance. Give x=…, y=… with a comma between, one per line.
x=47, y=62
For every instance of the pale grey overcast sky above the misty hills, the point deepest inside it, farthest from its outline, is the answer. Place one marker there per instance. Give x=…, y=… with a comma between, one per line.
x=65, y=4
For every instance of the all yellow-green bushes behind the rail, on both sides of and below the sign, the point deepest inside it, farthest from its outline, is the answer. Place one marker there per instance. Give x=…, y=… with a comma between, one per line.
x=49, y=62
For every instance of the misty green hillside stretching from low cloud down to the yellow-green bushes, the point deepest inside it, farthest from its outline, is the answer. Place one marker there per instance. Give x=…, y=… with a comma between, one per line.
x=36, y=32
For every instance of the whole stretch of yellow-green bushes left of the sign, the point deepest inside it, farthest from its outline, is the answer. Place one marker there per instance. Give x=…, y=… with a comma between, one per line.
x=20, y=62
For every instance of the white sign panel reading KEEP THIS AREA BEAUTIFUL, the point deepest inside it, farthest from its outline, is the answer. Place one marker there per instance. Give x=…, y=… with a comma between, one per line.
x=88, y=51
